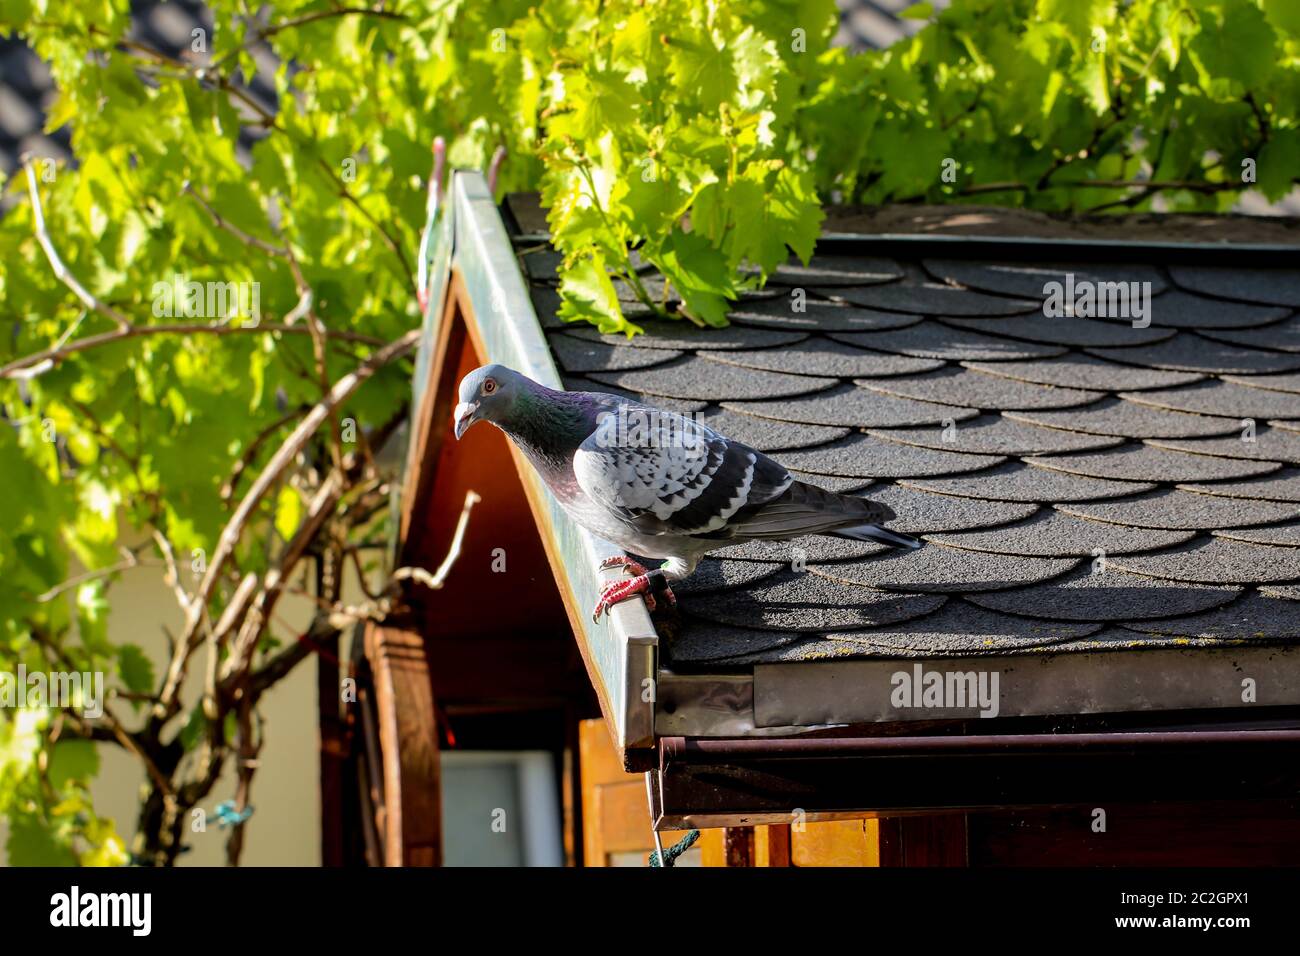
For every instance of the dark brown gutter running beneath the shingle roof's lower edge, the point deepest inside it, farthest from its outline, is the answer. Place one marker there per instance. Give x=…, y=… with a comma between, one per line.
x=709, y=784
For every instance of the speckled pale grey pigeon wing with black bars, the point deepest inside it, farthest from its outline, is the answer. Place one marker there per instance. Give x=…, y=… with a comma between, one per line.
x=665, y=474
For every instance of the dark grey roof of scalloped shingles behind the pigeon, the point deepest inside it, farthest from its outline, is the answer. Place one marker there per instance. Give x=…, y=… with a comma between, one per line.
x=1084, y=483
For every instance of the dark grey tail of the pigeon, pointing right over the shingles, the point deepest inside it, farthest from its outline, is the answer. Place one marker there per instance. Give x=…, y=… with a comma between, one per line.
x=805, y=509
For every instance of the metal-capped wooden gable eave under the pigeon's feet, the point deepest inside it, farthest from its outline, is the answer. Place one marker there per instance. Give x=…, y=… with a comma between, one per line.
x=486, y=315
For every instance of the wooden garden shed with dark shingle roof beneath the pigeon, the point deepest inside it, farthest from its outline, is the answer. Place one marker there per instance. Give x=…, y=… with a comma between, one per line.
x=1097, y=429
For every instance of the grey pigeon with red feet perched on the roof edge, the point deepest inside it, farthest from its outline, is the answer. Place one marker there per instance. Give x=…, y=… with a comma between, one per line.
x=656, y=483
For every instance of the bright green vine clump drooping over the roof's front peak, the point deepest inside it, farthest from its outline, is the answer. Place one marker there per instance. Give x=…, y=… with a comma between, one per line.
x=669, y=128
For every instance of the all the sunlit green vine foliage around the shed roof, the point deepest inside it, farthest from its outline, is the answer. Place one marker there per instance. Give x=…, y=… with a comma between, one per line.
x=701, y=140
